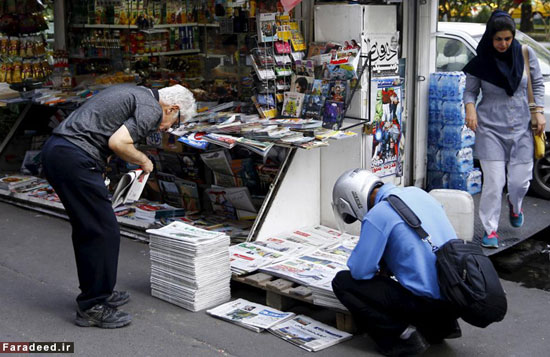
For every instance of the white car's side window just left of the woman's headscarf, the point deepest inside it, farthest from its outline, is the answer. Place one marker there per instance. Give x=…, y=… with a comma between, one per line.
x=452, y=54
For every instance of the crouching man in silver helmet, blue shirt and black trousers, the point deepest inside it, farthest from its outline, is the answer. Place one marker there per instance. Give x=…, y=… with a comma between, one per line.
x=391, y=289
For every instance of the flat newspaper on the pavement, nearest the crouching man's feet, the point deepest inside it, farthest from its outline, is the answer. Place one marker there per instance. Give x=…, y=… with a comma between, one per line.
x=309, y=334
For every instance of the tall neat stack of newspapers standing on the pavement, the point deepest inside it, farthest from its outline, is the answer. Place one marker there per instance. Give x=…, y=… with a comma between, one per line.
x=189, y=266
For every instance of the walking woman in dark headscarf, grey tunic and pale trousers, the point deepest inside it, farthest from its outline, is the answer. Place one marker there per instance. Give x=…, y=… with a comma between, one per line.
x=502, y=120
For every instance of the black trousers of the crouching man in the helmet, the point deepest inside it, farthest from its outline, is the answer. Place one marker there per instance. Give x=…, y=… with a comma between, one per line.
x=384, y=308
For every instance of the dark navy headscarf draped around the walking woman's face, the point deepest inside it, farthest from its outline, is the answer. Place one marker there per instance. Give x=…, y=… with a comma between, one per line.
x=501, y=69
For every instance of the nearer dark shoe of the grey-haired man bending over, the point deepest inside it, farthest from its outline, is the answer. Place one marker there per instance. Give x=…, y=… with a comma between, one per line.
x=103, y=316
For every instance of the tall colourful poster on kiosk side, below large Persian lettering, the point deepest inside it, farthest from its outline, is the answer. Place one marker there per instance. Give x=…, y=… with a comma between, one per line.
x=386, y=114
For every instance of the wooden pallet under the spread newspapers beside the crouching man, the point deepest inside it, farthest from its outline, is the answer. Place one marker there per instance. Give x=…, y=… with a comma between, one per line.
x=282, y=294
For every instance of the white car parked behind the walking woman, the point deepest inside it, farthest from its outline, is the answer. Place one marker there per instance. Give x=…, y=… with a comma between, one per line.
x=456, y=46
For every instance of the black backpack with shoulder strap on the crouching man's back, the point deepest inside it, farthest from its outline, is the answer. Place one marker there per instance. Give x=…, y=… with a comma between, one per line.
x=466, y=276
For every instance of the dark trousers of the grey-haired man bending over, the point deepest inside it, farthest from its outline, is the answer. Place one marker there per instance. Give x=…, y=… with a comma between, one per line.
x=77, y=179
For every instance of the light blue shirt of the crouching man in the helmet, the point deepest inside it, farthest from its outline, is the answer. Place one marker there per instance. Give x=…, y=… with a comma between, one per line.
x=384, y=235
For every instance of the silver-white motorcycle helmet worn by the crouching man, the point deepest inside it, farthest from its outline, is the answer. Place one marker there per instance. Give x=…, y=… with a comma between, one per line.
x=350, y=195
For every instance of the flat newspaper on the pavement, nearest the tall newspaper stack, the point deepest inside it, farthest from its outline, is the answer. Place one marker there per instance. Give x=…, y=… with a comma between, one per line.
x=255, y=317
